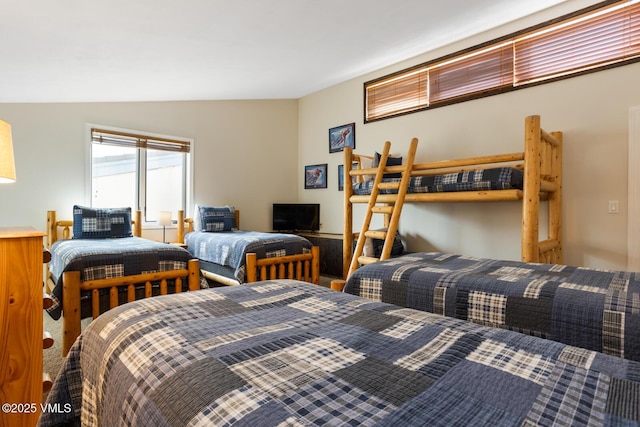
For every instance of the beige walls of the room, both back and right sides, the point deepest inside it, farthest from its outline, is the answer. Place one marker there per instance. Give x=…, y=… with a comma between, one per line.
x=241, y=145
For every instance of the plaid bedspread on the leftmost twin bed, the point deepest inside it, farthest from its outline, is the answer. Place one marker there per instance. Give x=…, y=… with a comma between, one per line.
x=107, y=258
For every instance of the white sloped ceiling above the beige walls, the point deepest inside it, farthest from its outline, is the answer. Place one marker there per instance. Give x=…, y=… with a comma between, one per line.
x=156, y=50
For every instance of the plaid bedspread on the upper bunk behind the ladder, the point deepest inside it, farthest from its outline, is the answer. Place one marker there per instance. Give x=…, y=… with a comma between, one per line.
x=476, y=180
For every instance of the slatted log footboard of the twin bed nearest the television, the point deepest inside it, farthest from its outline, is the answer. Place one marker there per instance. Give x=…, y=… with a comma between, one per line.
x=305, y=267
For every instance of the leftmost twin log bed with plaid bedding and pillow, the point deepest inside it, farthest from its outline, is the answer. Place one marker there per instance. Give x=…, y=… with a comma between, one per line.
x=104, y=263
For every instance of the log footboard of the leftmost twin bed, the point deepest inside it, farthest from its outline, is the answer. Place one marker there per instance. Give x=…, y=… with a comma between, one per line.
x=73, y=286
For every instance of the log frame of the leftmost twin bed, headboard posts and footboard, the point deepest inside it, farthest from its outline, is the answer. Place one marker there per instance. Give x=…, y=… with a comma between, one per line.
x=73, y=286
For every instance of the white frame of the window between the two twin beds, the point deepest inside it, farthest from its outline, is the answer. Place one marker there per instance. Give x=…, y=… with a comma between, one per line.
x=188, y=164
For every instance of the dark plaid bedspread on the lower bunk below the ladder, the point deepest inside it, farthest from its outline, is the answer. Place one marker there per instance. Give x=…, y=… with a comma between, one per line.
x=594, y=309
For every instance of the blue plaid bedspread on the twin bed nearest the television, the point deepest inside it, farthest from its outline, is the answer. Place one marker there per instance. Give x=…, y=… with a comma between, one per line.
x=229, y=248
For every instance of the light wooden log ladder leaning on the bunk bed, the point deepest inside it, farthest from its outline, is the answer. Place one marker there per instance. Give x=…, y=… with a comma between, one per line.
x=391, y=211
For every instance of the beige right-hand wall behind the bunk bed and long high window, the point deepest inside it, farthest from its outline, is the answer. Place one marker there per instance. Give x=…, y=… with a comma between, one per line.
x=592, y=110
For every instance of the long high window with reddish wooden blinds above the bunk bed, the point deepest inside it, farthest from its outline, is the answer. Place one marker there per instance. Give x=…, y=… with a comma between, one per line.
x=593, y=39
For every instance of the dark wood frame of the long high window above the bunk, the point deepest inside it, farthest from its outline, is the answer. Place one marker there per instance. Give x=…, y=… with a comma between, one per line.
x=512, y=38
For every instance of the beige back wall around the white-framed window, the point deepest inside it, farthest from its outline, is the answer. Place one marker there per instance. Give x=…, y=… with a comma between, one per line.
x=239, y=146
